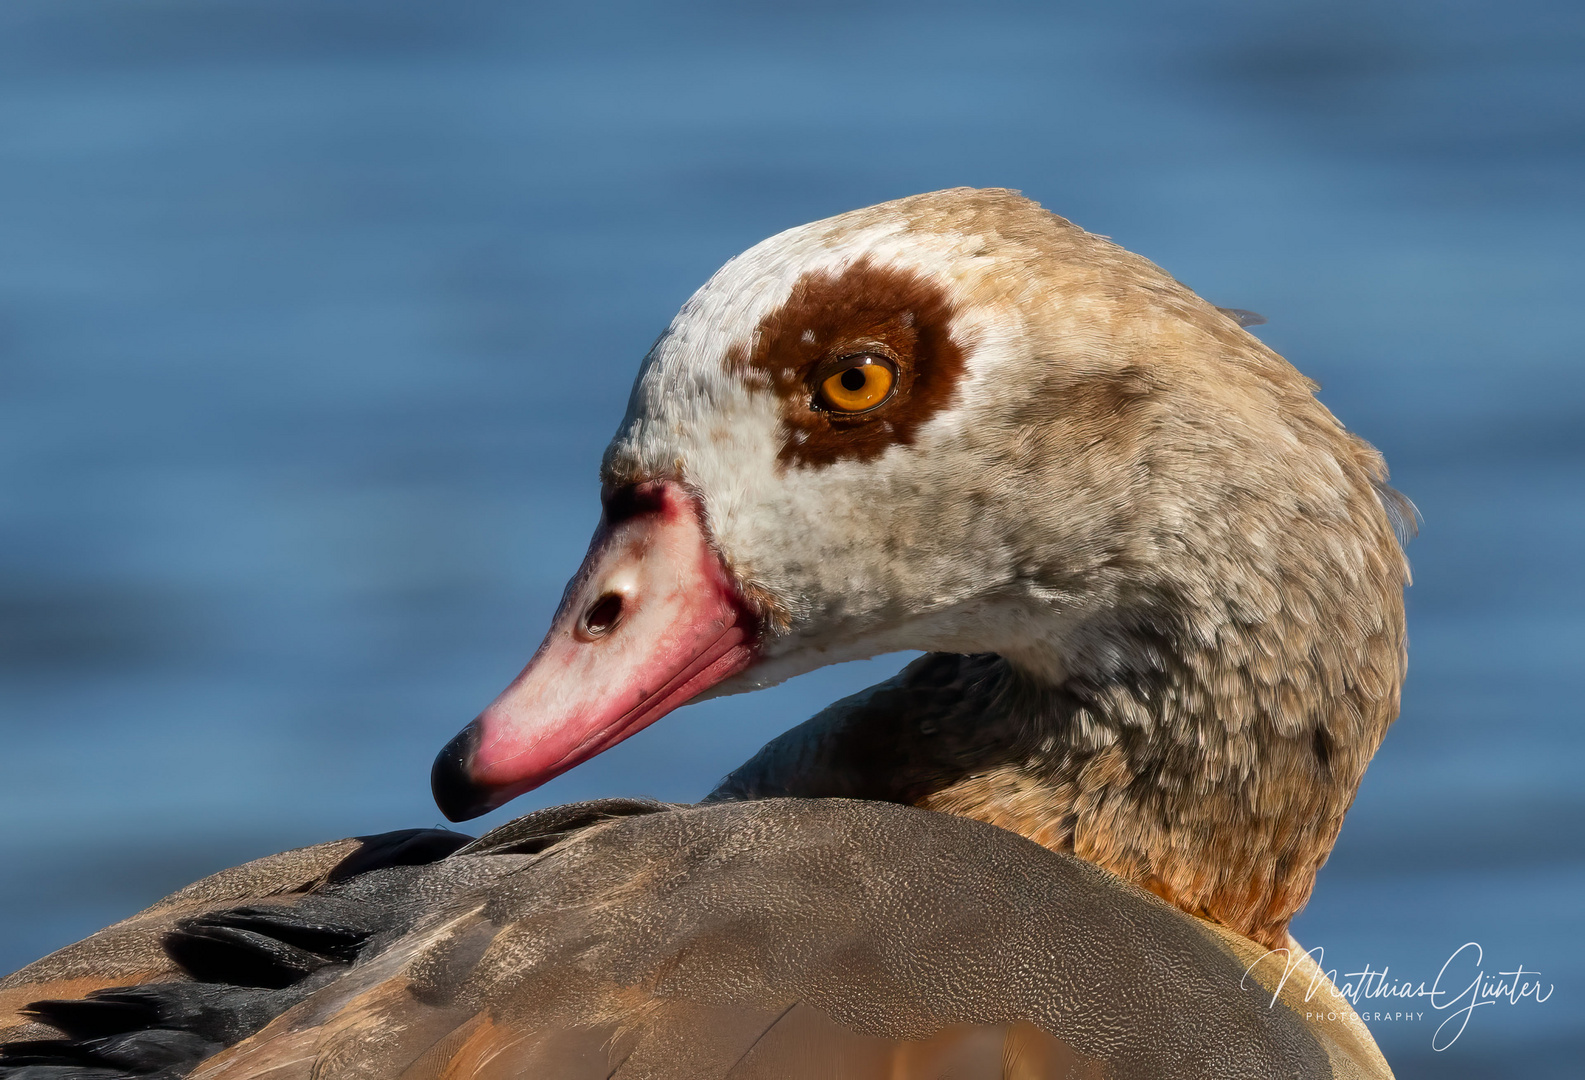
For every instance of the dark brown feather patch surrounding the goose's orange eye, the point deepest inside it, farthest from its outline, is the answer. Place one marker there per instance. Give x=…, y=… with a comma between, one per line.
x=887, y=316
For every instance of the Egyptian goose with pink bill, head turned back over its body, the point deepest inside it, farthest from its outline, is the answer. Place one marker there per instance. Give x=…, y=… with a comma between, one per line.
x=1161, y=596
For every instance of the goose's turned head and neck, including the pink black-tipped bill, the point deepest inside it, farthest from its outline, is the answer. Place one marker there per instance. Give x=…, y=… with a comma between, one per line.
x=1166, y=576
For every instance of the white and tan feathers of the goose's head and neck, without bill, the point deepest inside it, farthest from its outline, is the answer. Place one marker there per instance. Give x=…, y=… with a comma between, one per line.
x=1128, y=497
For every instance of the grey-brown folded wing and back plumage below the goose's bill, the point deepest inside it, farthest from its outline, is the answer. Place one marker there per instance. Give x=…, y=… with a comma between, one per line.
x=782, y=938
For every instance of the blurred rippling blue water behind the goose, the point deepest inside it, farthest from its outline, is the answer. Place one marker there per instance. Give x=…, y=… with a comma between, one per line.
x=316, y=315
